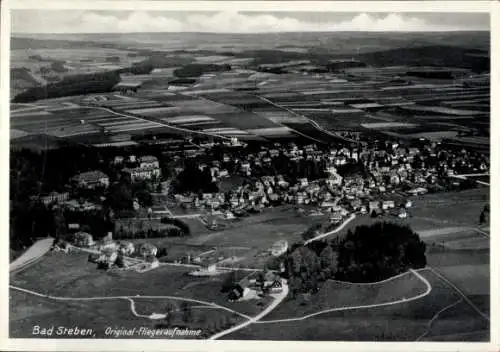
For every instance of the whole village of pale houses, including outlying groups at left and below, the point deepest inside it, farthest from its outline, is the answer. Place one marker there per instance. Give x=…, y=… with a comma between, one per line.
x=391, y=177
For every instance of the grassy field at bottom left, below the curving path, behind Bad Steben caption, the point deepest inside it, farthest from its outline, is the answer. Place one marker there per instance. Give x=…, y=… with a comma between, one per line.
x=27, y=310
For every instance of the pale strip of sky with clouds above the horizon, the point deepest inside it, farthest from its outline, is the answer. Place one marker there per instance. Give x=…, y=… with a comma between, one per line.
x=77, y=21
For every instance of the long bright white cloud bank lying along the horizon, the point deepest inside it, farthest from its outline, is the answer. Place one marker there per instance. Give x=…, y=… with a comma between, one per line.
x=222, y=22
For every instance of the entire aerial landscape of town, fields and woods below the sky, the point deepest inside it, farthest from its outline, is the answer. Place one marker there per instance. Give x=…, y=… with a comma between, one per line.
x=306, y=186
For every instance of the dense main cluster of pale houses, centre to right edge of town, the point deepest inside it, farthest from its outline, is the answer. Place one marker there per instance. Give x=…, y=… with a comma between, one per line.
x=391, y=175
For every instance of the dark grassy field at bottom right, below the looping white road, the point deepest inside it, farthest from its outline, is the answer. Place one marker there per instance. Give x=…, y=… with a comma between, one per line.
x=402, y=322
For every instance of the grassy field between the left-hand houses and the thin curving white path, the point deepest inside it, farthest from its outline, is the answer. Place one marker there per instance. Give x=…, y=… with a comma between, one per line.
x=83, y=279
